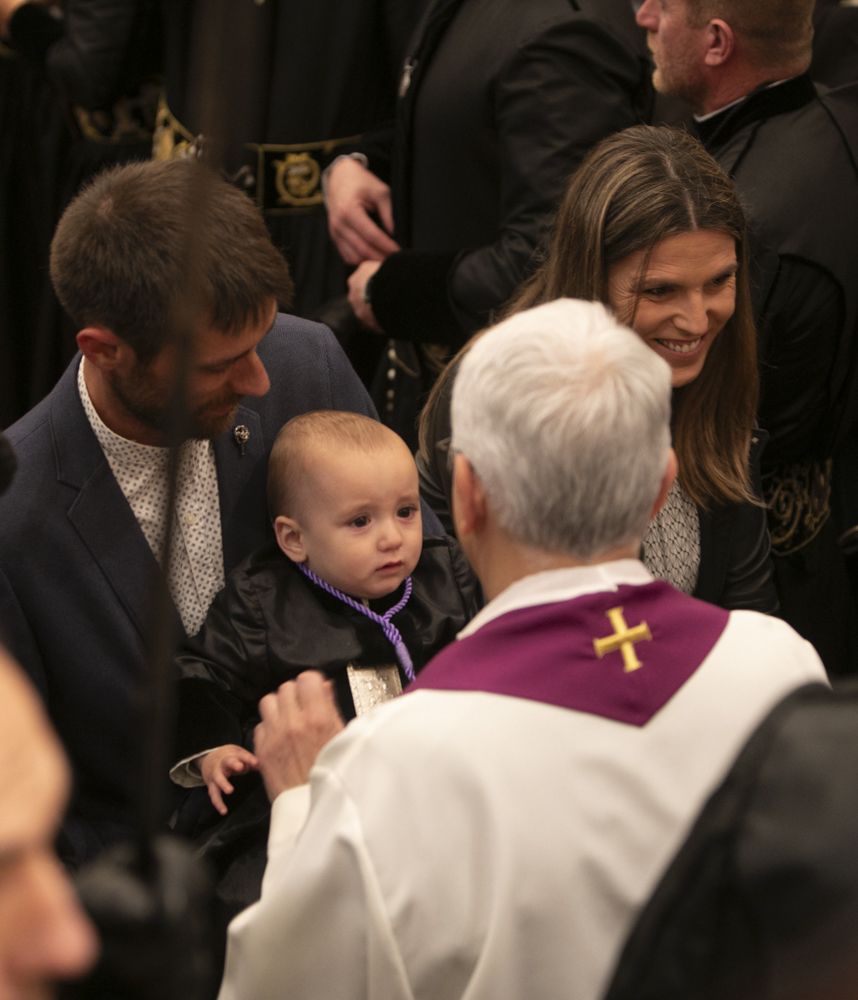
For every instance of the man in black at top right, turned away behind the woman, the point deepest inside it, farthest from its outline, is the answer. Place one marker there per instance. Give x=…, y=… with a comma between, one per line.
x=792, y=150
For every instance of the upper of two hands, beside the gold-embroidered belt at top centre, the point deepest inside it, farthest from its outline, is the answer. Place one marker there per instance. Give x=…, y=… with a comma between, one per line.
x=353, y=196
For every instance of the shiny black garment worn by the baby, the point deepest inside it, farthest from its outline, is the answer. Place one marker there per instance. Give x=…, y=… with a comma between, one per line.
x=270, y=622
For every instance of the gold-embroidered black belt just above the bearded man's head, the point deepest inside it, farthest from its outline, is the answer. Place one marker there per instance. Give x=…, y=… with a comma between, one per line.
x=284, y=177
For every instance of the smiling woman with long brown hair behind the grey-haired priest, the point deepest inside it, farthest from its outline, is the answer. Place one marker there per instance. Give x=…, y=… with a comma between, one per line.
x=651, y=226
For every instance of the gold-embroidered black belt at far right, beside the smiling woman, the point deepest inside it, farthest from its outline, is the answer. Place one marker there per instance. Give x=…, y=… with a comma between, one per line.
x=798, y=498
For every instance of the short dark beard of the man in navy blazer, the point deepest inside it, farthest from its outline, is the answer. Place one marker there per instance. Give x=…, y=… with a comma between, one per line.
x=148, y=401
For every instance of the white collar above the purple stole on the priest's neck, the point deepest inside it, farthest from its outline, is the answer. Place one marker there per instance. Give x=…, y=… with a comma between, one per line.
x=554, y=585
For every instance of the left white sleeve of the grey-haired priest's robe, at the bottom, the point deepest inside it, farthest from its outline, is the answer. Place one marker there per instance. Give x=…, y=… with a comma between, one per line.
x=320, y=929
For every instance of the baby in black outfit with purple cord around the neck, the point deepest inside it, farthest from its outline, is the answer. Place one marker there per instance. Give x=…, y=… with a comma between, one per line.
x=349, y=586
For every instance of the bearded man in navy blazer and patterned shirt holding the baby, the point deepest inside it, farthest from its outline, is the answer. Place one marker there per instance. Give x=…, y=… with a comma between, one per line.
x=82, y=529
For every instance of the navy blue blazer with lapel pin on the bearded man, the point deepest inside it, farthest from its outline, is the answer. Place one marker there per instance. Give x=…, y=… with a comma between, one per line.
x=77, y=575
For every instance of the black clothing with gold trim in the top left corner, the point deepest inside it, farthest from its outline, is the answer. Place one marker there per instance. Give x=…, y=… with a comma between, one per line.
x=81, y=93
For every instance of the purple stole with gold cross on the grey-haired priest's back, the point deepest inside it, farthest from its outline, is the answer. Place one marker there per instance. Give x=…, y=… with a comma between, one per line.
x=619, y=654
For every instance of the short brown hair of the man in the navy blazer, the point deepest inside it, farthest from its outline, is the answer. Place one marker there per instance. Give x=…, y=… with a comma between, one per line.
x=143, y=238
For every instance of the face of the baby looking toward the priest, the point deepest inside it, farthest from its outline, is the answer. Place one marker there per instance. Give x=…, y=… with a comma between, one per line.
x=361, y=521
